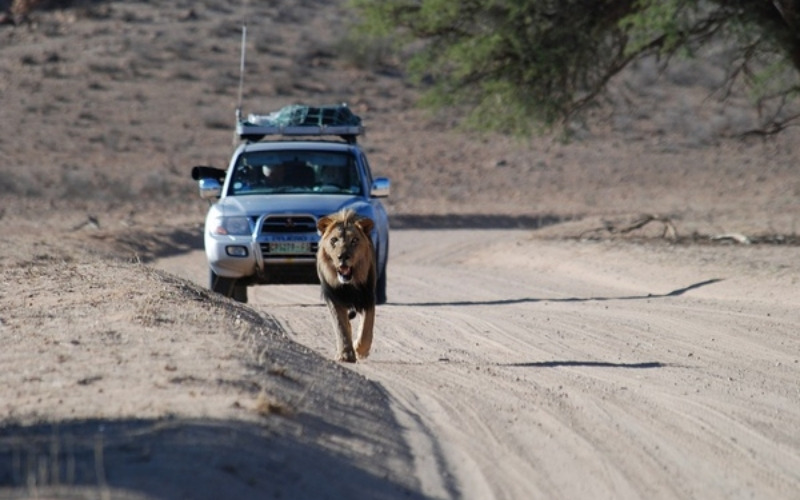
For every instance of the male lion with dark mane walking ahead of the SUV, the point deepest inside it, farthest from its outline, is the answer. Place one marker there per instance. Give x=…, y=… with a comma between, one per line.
x=347, y=275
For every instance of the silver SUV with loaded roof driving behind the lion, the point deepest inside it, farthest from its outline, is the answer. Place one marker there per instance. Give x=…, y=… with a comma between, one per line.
x=261, y=227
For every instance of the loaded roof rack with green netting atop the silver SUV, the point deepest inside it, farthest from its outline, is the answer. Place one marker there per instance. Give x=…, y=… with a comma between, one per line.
x=299, y=120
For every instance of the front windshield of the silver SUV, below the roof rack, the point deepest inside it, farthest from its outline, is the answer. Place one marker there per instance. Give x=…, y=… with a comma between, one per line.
x=275, y=172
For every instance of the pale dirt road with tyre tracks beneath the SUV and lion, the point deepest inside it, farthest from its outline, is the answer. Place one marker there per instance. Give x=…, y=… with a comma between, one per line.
x=528, y=368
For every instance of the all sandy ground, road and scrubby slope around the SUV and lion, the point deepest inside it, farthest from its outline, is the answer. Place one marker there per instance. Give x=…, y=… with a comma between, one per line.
x=536, y=343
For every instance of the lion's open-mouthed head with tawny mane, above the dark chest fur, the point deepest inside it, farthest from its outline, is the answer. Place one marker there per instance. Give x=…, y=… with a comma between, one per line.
x=345, y=247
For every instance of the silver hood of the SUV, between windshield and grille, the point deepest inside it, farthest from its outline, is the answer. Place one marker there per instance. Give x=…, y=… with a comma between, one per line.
x=315, y=204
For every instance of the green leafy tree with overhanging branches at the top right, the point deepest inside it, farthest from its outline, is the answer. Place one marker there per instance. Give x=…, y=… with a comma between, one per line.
x=521, y=64
